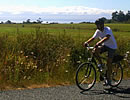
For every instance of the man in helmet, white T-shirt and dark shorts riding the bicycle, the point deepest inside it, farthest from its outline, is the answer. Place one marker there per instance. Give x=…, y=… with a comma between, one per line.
x=107, y=43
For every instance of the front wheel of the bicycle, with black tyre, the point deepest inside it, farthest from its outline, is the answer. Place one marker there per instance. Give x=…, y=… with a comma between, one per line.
x=85, y=76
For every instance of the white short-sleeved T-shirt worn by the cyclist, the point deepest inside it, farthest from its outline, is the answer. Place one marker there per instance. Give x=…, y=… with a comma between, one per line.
x=111, y=42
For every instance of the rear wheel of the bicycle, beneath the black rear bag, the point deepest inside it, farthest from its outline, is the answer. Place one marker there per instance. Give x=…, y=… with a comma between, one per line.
x=117, y=74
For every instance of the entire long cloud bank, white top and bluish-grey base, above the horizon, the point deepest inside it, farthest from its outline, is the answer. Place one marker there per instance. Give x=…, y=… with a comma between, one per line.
x=68, y=14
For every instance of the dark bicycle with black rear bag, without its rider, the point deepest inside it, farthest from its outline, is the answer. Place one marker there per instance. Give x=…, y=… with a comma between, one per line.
x=86, y=73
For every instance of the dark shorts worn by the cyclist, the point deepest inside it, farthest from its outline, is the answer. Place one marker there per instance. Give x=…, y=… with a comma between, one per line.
x=111, y=52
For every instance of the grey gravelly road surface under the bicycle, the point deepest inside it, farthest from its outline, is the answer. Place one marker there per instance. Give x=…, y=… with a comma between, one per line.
x=69, y=93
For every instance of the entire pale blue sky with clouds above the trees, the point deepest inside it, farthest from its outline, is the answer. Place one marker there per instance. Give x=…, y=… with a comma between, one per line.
x=60, y=10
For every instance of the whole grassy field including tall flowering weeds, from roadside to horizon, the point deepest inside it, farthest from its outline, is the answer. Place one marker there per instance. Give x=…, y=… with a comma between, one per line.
x=49, y=53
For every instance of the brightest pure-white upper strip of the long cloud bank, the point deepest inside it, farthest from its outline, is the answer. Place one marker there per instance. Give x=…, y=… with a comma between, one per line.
x=78, y=10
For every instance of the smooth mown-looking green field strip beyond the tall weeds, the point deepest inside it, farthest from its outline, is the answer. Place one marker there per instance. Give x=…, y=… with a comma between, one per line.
x=74, y=30
